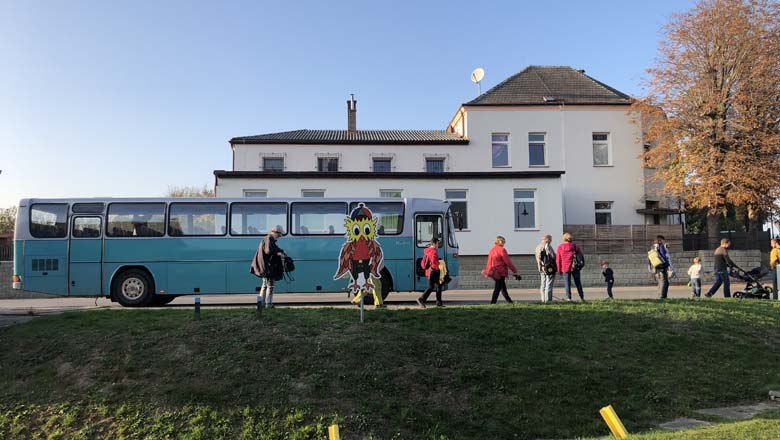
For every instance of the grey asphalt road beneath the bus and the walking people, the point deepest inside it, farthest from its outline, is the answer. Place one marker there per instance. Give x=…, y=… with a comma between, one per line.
x=17, y=307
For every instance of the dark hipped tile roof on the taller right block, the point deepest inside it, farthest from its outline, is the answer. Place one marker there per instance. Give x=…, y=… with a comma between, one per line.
x=530, y=86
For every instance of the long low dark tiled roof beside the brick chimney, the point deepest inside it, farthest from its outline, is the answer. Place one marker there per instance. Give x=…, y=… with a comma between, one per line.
x=384, y=137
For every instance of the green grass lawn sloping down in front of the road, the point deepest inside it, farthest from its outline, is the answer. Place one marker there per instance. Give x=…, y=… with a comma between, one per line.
x=516, y=371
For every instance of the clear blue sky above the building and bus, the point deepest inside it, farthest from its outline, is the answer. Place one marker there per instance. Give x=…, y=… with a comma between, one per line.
x=124, y=98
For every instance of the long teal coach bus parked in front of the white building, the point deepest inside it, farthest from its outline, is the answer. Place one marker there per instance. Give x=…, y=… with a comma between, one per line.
x=147, y=251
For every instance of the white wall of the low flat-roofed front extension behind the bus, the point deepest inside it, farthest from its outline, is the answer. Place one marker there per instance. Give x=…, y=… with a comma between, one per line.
x=490, y=203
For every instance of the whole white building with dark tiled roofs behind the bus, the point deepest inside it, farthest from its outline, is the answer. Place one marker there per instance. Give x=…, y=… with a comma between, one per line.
x=546, y=147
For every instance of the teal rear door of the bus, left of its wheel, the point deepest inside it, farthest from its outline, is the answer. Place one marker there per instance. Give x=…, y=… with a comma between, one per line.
x=85, y=255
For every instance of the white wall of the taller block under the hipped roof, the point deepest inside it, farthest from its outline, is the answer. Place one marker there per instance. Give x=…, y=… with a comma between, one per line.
x=569, y=148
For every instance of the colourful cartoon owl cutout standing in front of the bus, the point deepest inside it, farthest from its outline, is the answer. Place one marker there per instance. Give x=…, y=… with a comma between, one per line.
x=361, y=256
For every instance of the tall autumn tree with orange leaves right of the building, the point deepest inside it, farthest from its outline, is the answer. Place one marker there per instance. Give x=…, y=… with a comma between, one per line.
x=712, y=111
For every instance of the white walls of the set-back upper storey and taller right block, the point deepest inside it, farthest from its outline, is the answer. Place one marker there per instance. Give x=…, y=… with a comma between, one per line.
x=569, y=148
